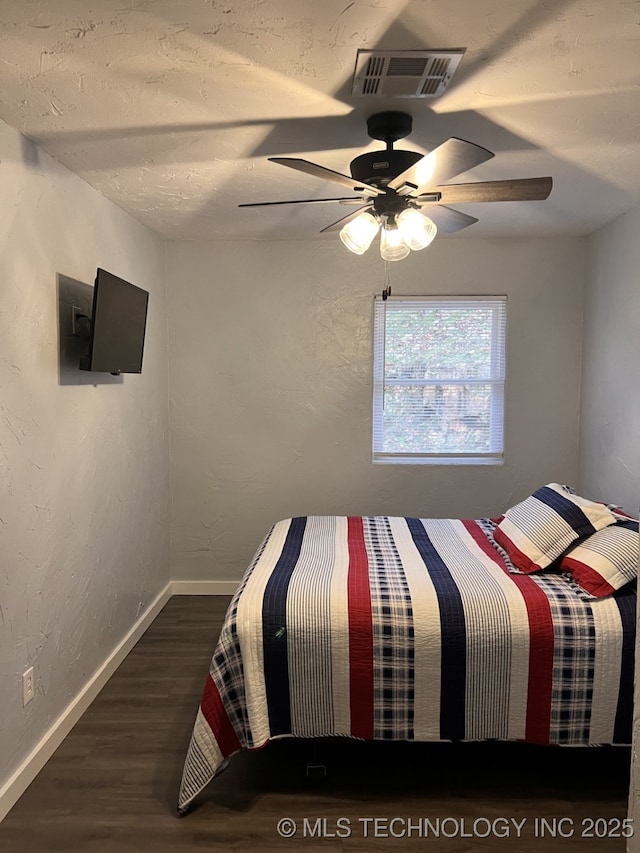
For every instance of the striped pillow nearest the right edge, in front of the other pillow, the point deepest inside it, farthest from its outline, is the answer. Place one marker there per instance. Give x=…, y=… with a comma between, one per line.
x=605, y=561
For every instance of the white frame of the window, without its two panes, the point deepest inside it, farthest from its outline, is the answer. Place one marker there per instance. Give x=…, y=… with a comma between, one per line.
x=495, y=456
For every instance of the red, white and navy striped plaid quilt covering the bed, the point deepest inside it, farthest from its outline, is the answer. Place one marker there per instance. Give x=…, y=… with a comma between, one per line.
x=409, y=629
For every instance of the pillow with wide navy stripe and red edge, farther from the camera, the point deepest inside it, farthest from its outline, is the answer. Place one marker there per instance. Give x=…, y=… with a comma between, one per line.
x=537, y=531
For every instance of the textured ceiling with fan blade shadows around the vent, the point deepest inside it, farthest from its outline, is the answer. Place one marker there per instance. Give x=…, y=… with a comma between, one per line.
x=171, y=107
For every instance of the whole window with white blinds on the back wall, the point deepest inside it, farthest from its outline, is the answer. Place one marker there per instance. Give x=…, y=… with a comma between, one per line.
x=438, y=379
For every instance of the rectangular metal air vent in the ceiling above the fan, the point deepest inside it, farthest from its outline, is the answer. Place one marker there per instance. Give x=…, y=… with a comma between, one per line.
x=404, y=73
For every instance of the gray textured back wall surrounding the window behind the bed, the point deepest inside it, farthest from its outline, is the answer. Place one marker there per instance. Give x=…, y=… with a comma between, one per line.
x=270, y=360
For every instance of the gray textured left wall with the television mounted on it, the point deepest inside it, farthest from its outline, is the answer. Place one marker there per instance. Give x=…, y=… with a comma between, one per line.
x=83, y=467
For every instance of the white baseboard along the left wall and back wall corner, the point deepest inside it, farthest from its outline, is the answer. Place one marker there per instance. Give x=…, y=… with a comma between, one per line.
x=19, y=781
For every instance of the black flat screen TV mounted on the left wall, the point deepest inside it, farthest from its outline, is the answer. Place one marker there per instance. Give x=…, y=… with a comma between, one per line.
x=118, y=326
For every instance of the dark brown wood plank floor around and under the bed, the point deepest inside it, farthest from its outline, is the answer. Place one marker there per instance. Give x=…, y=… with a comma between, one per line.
x=112, y=784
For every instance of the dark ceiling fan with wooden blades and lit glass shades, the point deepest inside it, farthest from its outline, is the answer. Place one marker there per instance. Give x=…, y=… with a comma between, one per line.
x=404, y=194
